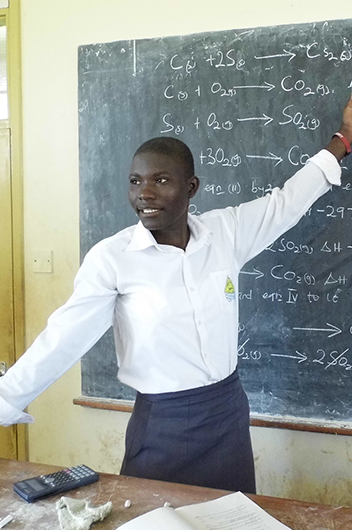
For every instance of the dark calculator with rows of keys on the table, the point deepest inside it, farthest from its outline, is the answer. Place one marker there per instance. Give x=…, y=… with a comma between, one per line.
x=35, y=488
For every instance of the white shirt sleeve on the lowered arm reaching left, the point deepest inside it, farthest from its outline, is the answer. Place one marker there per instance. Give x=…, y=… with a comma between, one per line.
x=71, y=331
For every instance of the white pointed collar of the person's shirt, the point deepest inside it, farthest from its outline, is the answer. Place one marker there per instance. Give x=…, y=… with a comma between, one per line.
x=143, y=238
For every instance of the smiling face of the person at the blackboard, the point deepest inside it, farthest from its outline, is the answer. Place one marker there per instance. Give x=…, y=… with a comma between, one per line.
x=159, y=192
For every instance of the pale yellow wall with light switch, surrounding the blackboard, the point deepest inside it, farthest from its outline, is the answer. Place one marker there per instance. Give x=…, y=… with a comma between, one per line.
x=290, y=464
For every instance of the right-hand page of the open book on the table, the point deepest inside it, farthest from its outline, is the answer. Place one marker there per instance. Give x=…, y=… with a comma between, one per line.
x=231, y=512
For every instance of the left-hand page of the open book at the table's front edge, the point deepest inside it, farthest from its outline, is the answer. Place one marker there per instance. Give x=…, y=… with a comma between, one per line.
x=159, y=519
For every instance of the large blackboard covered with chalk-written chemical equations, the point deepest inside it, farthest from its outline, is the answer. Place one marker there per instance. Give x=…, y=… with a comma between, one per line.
x=253, y=105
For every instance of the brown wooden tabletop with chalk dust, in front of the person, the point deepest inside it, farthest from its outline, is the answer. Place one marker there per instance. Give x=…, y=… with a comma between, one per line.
x=146, y=495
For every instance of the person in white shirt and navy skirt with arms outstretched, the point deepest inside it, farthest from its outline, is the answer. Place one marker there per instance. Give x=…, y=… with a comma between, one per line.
x=169, y=287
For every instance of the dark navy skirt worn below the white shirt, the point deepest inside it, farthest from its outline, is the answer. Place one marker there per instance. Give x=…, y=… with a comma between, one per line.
x=198, y=436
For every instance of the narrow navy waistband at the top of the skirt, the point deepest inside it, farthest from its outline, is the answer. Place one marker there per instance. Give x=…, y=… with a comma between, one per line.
x=201, y=393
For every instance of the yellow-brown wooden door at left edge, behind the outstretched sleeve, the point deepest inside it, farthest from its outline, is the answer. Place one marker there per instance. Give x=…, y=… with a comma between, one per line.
x=8, y=435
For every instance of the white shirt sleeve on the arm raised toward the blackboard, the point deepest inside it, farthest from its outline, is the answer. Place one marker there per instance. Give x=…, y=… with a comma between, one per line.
x=260, y=222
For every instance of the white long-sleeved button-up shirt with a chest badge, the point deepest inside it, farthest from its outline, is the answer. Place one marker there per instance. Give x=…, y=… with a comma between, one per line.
x=174, y=312
